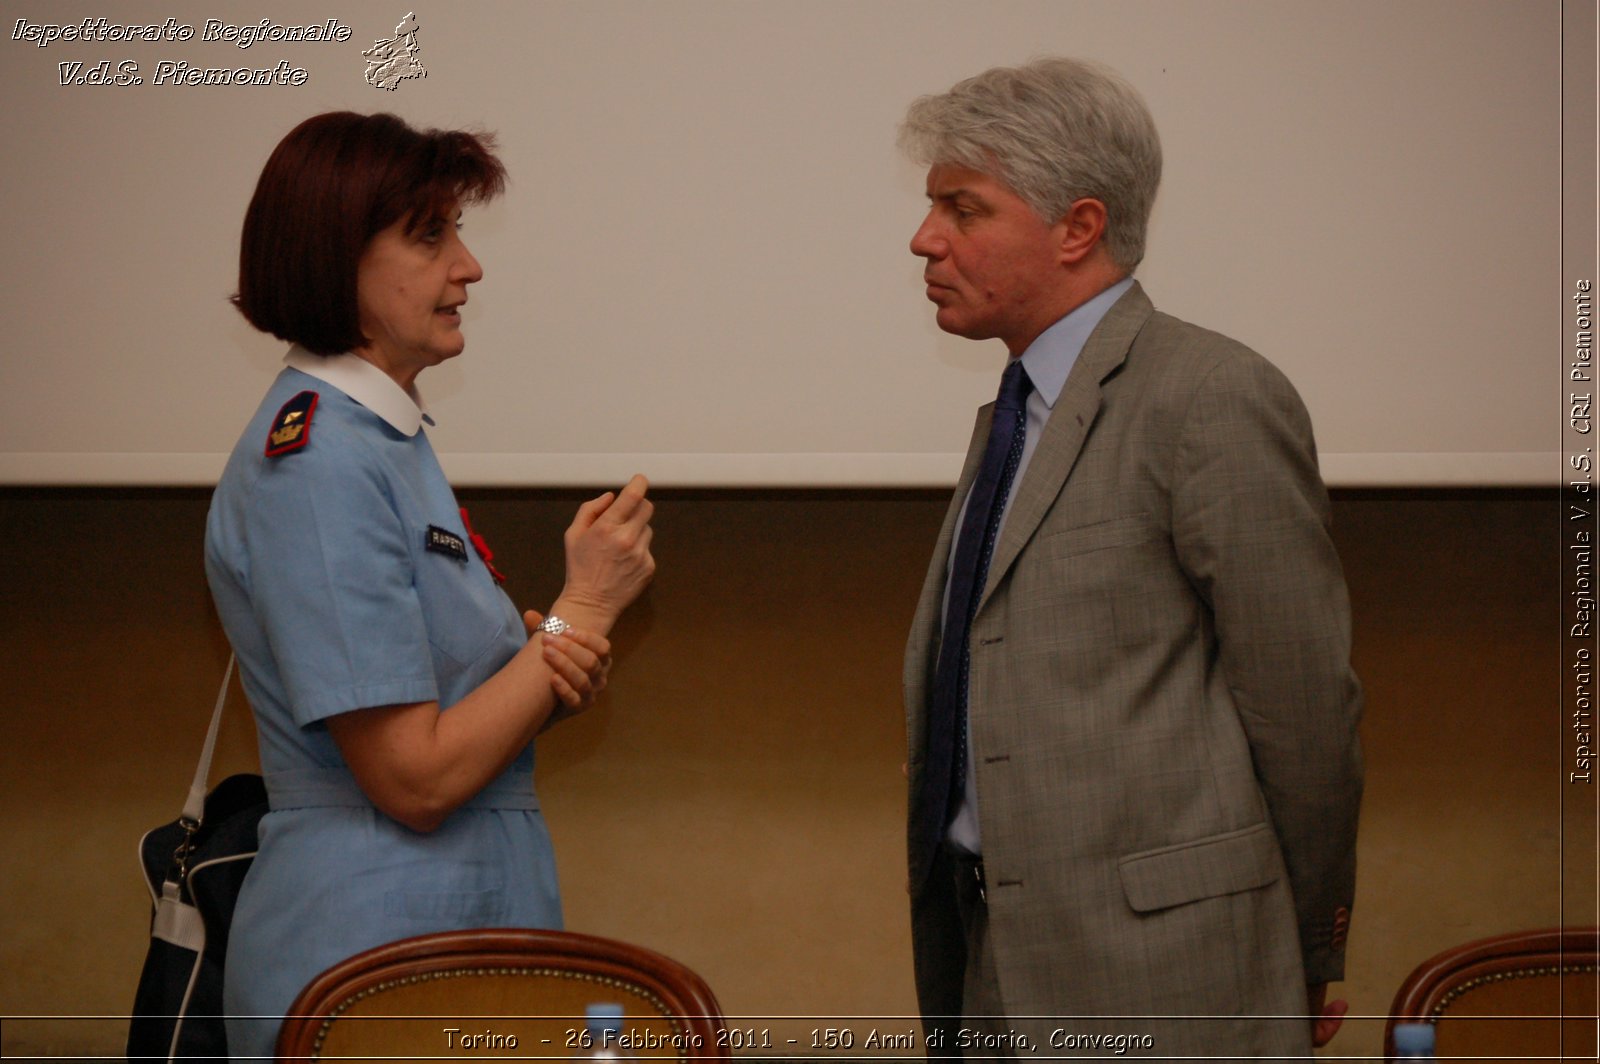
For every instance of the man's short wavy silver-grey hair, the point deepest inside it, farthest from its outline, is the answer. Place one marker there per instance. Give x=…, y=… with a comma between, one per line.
x=1054, y=132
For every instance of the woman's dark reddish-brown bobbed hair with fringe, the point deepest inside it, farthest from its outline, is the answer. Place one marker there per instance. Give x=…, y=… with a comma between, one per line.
x=330, y=186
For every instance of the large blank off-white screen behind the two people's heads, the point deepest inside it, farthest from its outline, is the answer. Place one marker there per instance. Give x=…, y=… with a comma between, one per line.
x=702, y=266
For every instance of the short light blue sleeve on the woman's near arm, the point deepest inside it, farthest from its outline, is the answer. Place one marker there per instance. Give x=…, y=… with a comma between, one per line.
x=337, y=596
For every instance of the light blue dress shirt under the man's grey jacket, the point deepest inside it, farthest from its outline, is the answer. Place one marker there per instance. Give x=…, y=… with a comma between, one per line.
x=1047, y=361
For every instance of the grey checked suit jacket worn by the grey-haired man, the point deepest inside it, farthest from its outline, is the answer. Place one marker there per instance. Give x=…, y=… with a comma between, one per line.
x=1162, y=706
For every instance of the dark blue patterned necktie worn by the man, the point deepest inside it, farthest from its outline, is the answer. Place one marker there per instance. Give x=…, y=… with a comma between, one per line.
x=945, y=764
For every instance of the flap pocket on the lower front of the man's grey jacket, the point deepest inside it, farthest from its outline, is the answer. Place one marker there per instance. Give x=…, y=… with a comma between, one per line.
x=1206, y=868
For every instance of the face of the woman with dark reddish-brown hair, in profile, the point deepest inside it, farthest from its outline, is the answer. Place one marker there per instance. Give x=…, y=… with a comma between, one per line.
x=410, y=290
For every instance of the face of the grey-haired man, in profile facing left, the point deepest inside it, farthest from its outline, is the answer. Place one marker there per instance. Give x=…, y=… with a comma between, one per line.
x=991, y=260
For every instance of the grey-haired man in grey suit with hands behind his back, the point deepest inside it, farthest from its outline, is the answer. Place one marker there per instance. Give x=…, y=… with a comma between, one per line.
x=1132, y=718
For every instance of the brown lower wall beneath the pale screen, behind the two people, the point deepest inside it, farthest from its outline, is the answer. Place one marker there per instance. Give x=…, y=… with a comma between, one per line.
x=737, y=801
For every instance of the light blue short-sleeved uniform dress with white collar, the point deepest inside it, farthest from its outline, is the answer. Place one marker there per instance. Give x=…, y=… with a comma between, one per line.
x=346, y=578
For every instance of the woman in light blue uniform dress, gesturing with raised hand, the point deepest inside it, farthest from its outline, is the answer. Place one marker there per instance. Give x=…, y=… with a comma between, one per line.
x=396, y=689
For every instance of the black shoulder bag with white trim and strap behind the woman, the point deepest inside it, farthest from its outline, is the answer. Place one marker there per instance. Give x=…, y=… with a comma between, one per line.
x=194, y=868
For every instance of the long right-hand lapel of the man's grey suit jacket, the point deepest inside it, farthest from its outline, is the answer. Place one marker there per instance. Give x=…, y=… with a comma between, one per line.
x=1068, y=428
